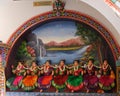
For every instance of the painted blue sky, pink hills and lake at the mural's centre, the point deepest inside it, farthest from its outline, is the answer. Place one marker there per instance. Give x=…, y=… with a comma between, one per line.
x=60, y=42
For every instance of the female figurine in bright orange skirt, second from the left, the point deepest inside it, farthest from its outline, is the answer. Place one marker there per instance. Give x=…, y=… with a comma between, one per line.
x=30, y=81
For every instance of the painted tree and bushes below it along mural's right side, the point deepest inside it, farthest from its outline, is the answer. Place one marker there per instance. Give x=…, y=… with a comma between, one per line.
x=91, y=37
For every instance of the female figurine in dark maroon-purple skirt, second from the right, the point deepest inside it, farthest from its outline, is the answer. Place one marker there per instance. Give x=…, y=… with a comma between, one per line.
x=90, y=77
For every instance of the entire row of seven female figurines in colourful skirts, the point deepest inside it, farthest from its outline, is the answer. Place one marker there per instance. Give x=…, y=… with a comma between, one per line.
x=74, y=77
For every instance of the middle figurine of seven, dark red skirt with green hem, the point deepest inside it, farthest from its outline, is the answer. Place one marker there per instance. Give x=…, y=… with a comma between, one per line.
x=61, y=77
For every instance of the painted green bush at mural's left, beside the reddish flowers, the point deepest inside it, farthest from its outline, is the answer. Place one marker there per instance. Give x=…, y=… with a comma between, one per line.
x=22, y=53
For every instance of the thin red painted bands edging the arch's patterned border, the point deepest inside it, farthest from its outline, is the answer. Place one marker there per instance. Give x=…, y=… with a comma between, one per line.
x=66, y=17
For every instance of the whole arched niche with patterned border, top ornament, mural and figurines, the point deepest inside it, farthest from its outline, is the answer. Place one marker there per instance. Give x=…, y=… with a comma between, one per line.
x=62, y=51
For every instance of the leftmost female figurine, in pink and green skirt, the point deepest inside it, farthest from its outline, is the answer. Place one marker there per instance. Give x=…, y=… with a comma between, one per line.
x=15, y=82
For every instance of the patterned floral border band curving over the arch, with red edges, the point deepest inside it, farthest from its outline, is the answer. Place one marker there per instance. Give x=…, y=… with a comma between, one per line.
x=67, y=14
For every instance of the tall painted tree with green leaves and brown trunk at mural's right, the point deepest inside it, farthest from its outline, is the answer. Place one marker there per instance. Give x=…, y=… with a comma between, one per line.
x=90, y=36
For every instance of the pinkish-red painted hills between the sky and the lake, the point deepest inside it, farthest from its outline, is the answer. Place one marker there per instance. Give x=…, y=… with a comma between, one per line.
x=71, y=42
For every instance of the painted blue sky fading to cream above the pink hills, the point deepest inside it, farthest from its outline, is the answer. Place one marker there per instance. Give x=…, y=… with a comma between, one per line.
x=56, y=31
